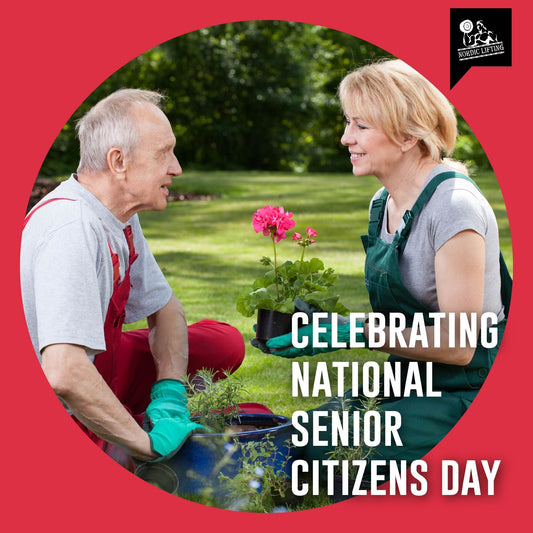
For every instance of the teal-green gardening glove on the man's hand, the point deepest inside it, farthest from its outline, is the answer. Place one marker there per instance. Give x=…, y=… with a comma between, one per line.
x=167, y=419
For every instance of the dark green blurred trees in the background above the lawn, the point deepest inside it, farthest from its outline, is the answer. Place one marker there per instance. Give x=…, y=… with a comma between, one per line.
x=246, y=95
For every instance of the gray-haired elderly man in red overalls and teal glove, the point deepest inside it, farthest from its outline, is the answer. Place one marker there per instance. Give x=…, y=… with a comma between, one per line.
x=86, y=269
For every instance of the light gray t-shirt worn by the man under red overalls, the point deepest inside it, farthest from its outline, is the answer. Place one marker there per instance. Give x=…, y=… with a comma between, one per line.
x=67, y=273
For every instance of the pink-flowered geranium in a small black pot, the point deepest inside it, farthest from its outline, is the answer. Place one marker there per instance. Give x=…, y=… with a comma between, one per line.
x=273, y=294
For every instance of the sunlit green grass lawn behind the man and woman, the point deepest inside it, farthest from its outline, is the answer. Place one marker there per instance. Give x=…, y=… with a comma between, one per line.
x=210, y=253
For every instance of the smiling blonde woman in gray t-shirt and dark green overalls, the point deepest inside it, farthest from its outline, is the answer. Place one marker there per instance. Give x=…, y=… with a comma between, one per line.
x=432, y=246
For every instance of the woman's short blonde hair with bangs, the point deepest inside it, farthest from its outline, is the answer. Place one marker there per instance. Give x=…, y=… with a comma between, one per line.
x=394, y=97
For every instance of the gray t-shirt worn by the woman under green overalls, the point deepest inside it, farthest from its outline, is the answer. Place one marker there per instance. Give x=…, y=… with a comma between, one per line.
x=456, y=205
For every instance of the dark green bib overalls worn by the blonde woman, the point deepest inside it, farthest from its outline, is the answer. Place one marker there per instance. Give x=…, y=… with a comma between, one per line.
x=425, y=420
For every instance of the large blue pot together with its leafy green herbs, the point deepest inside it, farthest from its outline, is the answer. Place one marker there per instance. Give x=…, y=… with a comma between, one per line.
x=238, y=453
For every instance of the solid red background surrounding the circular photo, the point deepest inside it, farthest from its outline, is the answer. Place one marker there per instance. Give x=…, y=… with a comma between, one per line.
x=54, y=54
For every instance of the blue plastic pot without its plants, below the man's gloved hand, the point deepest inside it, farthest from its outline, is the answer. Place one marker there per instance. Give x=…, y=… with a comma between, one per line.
x=195, y=468
